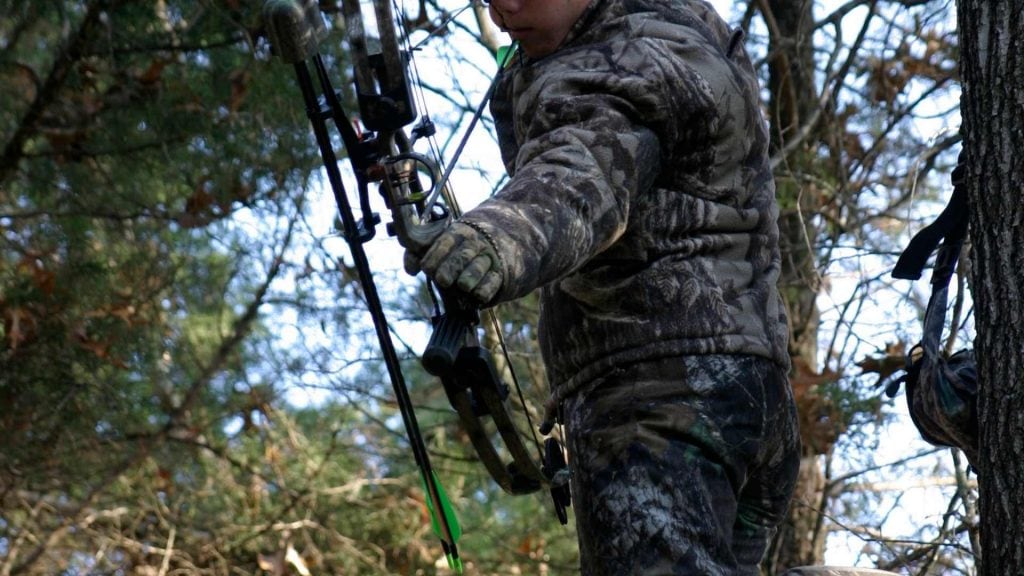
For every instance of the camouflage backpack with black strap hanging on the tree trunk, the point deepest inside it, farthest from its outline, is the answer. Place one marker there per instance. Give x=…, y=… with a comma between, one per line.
x=942, y=390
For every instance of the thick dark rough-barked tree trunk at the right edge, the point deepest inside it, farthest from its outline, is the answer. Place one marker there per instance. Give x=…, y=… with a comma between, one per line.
x=993, y=67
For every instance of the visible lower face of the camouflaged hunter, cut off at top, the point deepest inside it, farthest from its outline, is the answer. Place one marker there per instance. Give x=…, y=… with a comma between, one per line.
x=540, y=26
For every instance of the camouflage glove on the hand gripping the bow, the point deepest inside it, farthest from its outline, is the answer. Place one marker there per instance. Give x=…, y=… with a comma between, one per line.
x=464, y=258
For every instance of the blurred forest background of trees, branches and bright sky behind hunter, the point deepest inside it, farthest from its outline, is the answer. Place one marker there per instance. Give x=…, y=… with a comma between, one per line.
x=189, y=383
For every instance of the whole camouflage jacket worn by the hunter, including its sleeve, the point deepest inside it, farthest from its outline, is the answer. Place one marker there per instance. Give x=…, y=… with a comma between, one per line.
x=642, y=201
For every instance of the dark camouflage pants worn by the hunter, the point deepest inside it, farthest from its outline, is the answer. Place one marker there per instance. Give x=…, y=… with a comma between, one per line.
x=684, y=466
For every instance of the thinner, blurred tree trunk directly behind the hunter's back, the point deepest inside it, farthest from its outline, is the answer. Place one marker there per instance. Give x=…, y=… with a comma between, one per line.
x=793, y=102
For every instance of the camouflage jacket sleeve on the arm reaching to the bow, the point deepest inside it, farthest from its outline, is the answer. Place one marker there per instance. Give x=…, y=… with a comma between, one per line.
x=594, y=127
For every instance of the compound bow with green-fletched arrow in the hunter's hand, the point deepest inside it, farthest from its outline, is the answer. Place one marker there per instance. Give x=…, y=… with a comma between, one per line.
x=385, y=156
